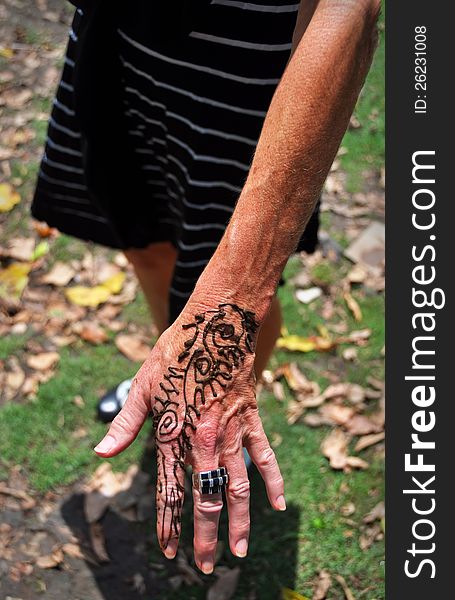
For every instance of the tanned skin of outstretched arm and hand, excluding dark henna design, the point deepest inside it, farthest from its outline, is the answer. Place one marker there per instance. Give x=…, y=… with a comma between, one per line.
x=304, y=126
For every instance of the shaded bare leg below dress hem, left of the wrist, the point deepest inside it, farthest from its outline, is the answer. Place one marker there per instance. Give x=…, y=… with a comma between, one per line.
x=154, y=266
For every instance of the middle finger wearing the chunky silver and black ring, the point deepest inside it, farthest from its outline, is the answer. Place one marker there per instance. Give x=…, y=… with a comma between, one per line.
x=207, y=509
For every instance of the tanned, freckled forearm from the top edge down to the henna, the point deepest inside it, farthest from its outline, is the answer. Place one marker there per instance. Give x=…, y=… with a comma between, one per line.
x=304, y=126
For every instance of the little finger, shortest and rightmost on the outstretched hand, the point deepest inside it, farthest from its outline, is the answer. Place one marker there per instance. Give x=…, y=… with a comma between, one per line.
x=263, y=456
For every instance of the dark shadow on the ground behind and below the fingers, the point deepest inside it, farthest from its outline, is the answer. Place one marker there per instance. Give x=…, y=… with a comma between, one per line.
x=138, y=569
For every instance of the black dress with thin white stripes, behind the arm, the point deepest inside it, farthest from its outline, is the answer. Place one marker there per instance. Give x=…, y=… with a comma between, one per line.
x=193, y=109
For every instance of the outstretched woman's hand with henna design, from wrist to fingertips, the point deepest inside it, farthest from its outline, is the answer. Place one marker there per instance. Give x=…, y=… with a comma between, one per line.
x=199, y=384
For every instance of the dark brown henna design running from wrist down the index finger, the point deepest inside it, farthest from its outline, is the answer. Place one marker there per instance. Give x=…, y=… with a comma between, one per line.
x=218, y=344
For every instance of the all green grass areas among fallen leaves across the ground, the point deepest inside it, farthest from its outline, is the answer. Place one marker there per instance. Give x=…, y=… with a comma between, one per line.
x=287, y=549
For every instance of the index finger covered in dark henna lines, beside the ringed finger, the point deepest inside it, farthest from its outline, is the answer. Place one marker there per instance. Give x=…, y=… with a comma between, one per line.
x=170, y=490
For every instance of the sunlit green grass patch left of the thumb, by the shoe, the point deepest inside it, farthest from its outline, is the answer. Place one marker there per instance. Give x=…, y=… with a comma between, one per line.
x=28, y=431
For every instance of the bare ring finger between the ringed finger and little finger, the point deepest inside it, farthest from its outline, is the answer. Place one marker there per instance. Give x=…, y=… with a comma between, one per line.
x=238, y=501
